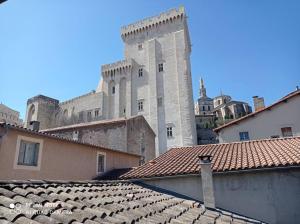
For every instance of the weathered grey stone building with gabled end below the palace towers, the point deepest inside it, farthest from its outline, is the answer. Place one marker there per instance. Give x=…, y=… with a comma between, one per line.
x=132, y=135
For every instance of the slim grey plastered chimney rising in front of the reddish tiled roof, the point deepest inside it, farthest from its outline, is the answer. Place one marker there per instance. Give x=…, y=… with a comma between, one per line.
x=207, y=181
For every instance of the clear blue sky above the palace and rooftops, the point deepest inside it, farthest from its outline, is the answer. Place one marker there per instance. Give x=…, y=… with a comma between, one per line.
x=56, y=48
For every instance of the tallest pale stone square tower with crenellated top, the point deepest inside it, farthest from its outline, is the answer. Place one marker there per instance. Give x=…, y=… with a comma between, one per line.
x=158, y=49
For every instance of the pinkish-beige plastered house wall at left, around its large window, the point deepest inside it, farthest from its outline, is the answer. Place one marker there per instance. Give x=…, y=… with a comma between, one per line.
x=59, y=159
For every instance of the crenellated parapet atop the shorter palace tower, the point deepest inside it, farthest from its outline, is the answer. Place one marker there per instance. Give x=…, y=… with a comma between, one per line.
x=123, y=66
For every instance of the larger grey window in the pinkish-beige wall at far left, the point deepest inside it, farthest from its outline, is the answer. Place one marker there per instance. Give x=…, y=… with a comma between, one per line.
x=28, y=153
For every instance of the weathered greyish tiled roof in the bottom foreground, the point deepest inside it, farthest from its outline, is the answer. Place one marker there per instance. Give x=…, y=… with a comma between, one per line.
x=102, y=202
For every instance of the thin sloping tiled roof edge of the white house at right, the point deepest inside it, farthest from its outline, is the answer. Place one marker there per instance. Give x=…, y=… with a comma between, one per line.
x=282, y=100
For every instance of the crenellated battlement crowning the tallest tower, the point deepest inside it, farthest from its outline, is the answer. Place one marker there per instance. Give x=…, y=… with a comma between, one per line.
x=151, y=22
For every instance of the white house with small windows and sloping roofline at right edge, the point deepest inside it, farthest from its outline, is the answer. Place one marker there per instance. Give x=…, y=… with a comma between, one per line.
x=281, y=119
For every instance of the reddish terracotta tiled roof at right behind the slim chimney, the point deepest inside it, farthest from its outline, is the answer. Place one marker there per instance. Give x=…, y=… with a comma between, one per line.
x=267, y=153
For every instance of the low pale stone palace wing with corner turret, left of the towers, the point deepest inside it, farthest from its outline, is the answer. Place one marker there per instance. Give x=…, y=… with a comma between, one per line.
x=50, y=113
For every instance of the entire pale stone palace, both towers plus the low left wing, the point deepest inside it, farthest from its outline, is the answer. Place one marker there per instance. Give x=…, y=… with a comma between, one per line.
x=153, y=80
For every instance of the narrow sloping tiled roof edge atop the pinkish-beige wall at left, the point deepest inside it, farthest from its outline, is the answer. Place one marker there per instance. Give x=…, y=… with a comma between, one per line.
x=53, y=136
